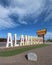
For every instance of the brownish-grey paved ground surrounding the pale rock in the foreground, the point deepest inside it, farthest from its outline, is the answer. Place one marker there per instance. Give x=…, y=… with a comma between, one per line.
x=44, y=57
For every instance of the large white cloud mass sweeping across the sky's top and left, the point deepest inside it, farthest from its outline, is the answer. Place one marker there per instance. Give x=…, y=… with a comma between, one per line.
x=21, y=8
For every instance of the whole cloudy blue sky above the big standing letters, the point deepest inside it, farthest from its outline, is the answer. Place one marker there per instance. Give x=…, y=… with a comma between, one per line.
x=25, y=17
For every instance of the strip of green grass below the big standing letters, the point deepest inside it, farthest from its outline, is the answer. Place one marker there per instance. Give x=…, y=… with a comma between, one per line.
x=19, y=50
